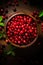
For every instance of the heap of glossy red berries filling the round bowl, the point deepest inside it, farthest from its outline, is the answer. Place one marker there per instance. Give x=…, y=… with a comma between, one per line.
x=21, y=29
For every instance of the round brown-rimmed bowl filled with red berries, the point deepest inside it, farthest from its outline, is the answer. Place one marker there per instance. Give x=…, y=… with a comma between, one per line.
x=13, y=19
